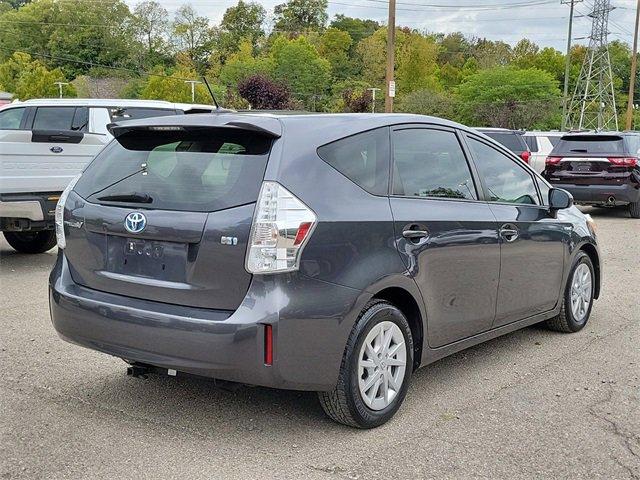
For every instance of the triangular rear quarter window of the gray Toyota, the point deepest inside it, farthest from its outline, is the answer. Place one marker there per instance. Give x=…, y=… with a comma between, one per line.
x=362, y=158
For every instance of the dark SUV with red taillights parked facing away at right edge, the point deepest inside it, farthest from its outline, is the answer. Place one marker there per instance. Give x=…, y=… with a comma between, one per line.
x=599, y=169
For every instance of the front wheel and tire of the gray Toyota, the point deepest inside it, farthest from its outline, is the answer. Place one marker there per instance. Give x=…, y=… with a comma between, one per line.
x=568, y=320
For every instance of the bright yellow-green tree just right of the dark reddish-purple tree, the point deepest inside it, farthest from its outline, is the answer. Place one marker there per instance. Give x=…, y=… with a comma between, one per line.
x=296, y=63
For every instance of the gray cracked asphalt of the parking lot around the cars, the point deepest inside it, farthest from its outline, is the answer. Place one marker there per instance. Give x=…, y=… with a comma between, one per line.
x=533, y=404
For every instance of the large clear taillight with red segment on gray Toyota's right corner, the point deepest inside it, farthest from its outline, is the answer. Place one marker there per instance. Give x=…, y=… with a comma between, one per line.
x=282, y=225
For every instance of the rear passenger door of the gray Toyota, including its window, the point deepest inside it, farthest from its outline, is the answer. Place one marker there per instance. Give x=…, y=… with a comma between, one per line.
x=446, y=234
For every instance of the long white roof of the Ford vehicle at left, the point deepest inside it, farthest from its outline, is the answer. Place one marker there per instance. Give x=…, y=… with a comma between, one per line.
x=107, y=102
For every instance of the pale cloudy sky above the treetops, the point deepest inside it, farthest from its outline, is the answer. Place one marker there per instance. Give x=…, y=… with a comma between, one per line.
x=542, y=21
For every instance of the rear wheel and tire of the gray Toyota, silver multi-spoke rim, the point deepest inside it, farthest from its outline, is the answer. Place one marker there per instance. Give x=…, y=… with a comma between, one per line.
x=345, y=403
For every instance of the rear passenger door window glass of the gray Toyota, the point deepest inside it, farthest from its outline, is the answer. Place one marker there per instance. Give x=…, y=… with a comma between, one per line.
x=430, y=163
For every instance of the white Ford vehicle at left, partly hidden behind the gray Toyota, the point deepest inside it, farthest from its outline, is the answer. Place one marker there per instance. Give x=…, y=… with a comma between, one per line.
x=44, y=144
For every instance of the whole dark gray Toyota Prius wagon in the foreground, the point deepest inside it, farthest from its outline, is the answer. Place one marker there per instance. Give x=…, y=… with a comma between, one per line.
x=335, y=253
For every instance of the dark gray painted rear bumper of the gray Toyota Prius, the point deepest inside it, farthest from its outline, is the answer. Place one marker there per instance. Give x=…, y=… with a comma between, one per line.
x=219, y=344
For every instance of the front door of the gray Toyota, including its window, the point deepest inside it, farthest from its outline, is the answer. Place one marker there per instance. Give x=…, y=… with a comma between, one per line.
x=533, y=243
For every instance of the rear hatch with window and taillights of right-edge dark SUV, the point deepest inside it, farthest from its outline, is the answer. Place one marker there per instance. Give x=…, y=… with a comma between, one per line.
x=590, y=159
